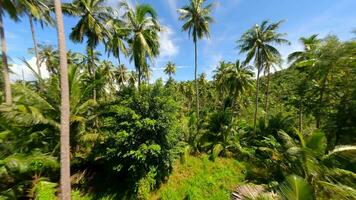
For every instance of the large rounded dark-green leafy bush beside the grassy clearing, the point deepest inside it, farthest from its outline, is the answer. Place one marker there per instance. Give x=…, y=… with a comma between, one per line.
x=141, y=130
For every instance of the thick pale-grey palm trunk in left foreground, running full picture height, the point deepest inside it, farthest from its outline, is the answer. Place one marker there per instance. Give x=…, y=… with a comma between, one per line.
x=65, y=187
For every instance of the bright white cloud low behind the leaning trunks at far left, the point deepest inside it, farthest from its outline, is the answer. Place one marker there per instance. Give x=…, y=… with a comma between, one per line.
x=20, y=70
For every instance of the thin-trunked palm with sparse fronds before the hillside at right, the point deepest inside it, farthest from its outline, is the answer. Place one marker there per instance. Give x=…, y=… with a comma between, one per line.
x=298, y=58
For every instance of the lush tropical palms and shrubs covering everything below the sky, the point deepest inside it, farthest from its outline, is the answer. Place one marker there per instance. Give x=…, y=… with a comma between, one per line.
x=207, y=138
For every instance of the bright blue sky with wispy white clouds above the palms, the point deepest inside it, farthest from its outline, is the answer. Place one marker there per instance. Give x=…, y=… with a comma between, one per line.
x=232, y=18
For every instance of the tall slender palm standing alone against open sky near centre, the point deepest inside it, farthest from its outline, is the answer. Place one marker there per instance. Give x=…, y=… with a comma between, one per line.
x=196, y=21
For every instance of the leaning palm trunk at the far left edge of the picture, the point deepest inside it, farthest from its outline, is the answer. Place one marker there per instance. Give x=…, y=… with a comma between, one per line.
x=5, y=67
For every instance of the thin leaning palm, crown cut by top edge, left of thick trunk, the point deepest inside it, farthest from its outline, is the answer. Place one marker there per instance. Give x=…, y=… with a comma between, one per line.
x=36, y=10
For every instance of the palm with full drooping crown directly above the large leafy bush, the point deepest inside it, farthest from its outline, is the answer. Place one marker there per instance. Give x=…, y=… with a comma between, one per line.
x=142, y=23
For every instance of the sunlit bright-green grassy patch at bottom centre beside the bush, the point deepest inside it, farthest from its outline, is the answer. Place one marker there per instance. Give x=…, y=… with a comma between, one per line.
x=200, y=178
